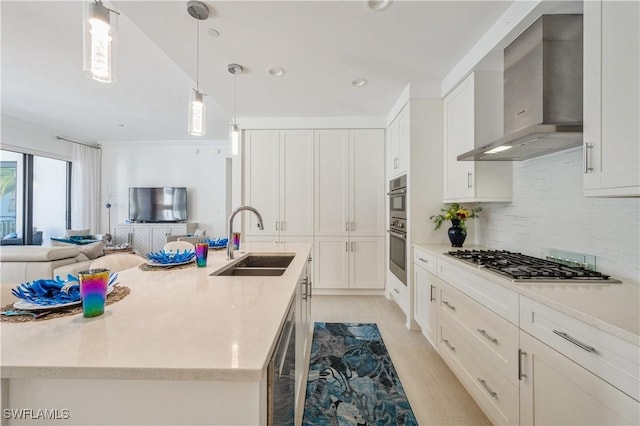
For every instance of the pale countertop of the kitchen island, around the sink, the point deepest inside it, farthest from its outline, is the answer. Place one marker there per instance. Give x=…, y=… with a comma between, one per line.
x=178, y=324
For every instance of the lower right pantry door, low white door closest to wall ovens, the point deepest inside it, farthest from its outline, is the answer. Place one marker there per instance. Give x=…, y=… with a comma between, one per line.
x=366, y=262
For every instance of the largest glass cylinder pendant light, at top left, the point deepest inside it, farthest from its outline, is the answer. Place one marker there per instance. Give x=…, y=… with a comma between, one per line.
x=100, y=41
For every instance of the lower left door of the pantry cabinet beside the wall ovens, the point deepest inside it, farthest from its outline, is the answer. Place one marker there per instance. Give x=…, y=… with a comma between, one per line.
x=331, y=262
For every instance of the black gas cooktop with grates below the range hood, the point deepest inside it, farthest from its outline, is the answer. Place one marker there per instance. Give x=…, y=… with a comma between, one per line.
x=522, y=268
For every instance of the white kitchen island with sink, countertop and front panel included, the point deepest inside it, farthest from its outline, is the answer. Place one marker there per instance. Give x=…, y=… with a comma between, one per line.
x=184, y=347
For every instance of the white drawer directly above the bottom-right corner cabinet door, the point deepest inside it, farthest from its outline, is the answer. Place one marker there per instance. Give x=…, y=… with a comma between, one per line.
x=607, y=356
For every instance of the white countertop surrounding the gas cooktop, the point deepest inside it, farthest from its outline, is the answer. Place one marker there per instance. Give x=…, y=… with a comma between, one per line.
x=613, y=308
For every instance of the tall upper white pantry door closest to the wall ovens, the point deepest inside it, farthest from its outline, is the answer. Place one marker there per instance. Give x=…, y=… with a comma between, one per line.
x=367, y=196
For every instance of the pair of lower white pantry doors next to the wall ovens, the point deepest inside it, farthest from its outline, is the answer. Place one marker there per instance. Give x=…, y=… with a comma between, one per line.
x=349, y=262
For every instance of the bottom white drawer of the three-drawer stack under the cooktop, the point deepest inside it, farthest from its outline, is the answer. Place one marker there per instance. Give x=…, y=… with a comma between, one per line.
x=496, y=395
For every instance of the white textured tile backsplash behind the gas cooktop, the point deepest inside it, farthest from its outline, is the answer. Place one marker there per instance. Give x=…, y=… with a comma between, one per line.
x=549, y=210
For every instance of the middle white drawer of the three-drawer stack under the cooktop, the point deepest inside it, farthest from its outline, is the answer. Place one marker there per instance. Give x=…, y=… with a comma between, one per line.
x=492, y=335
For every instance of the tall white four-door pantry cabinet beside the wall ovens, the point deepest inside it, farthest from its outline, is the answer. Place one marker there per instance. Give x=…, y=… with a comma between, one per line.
x=349, y=205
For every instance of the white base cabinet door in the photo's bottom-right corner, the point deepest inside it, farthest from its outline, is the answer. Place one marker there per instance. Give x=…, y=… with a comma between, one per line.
x=556, y=391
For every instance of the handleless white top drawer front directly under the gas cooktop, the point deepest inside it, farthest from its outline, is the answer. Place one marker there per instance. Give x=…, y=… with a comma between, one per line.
x=499, y=299
